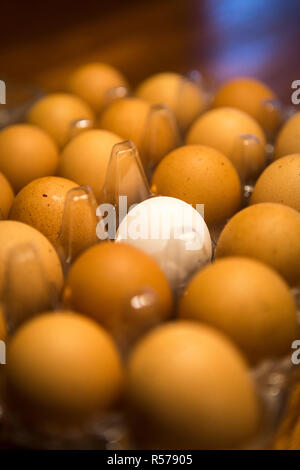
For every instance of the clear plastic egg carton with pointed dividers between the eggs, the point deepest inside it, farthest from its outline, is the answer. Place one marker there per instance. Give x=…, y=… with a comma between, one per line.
x=274, y=379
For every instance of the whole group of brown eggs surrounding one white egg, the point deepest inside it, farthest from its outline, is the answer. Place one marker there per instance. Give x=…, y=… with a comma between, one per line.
x=164, y=324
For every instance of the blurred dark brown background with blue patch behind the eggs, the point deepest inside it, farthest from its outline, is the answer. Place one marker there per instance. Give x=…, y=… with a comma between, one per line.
x=41, y=41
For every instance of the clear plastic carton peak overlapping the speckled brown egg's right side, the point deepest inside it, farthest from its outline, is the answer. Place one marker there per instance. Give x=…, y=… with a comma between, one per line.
x=79, y=224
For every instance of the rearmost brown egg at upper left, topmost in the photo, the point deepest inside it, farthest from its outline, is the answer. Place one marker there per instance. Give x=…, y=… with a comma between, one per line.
x=92, y=82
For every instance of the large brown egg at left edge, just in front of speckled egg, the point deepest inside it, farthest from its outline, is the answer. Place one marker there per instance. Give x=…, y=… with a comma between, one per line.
x=14, y=236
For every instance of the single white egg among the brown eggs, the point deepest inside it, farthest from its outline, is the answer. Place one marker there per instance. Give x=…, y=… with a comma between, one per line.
x=172, y=232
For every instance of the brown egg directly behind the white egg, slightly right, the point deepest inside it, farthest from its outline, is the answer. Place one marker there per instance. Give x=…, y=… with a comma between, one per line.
x=200, y=175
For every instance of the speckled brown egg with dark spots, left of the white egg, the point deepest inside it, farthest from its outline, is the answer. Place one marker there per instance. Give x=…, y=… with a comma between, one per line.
x=41, y=204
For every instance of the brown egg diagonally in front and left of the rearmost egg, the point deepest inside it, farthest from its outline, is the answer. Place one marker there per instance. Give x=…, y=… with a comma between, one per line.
x=56, y=113
